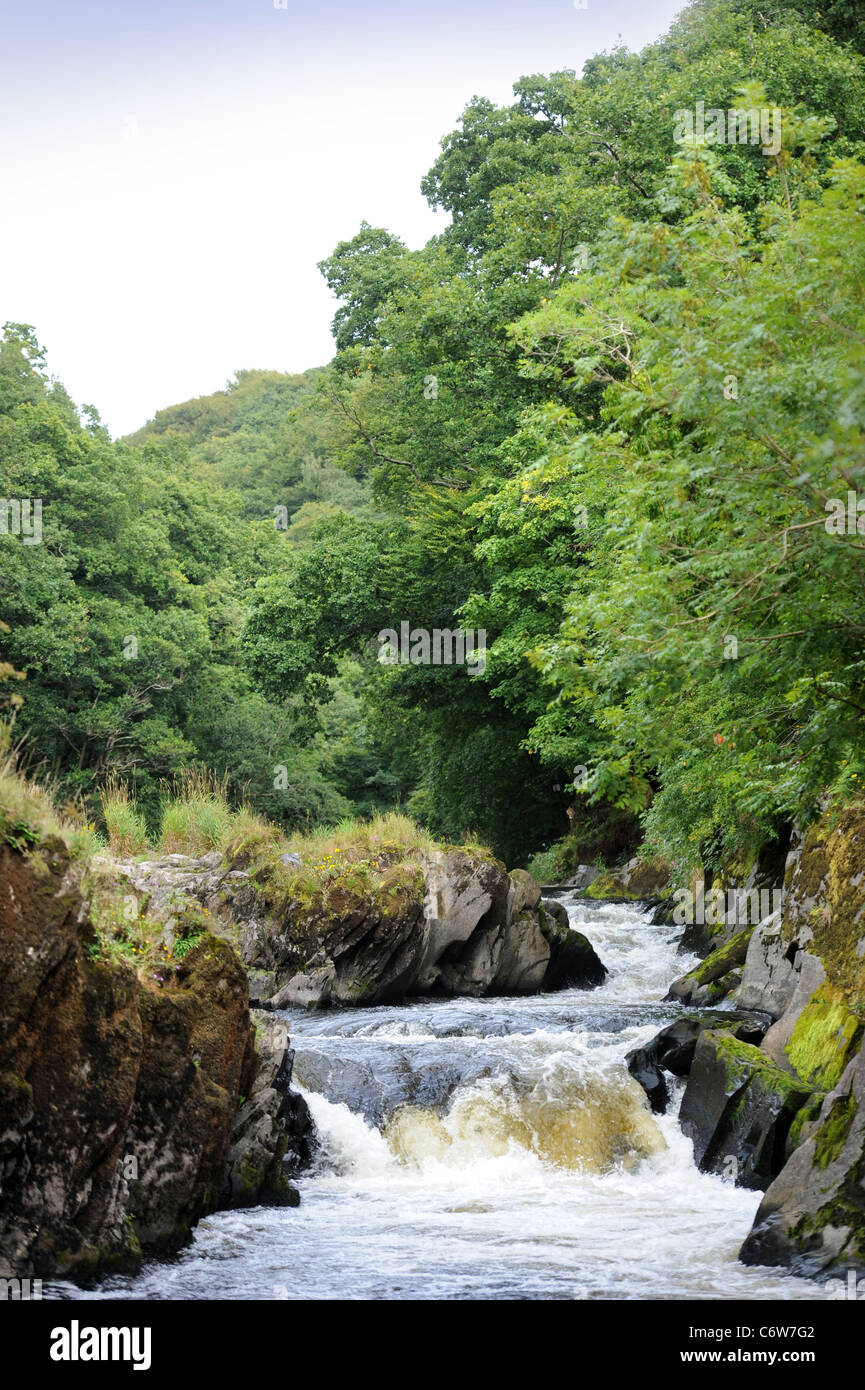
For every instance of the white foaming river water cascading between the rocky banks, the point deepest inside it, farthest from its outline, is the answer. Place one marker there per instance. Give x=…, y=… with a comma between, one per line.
x=489, y=1149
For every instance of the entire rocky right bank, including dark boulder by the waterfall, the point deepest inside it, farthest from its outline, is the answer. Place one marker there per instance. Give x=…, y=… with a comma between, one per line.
x=777, y=1078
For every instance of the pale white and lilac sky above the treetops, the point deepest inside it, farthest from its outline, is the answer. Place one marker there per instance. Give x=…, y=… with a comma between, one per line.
x=173, y=170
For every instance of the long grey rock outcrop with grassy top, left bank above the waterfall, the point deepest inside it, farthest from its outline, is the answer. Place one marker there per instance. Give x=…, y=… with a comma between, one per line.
x=465, y=926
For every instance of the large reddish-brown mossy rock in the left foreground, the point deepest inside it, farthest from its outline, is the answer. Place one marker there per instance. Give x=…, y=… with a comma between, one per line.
x=118, y=1093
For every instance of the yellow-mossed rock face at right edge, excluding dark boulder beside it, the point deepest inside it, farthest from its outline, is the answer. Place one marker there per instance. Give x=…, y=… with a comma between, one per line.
x=809, y=967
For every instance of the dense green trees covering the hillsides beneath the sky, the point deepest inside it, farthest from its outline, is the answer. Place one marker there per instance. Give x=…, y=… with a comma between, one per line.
x=601, y=418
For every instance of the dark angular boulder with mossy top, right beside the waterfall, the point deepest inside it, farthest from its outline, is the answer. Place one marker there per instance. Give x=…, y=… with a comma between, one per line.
x=739, y=1109
